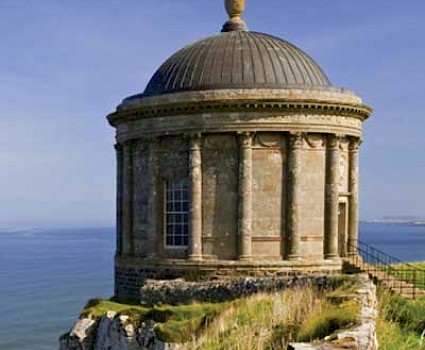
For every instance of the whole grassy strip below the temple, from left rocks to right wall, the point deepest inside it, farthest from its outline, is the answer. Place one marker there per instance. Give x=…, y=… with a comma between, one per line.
x=263, y=321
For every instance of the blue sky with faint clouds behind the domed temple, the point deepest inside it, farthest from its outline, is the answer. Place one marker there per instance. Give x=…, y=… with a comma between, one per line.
x=65, y=64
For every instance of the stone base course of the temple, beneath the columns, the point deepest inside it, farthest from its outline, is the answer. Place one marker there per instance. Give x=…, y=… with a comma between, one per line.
x=132, y=272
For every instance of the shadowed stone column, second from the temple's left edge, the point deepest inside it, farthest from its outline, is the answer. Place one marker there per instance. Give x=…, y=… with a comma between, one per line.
x=127, y=204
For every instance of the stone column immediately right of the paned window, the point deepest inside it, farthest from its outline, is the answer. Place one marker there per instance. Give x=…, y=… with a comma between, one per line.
x=195, y=195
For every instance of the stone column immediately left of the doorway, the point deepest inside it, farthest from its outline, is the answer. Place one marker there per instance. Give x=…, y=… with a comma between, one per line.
x=332, y=197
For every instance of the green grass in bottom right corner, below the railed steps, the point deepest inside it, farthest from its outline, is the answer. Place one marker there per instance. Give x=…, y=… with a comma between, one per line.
x=401, y=324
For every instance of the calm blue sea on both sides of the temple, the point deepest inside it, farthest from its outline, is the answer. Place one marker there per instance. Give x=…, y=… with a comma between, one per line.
x=47, y=276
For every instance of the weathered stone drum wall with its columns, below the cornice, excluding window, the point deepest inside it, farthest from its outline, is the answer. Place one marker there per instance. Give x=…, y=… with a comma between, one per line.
x=258, y=196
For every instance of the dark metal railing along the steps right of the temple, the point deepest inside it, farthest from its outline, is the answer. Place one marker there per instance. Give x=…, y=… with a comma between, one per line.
x=390, y=272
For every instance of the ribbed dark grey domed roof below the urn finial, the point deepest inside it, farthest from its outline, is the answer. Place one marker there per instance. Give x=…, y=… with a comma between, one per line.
x=237, y=59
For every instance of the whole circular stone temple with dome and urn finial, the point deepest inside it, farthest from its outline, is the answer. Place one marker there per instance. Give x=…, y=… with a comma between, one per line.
x=239, y=159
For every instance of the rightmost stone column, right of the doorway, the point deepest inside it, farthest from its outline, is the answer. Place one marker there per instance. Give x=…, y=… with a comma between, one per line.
x=353, y=206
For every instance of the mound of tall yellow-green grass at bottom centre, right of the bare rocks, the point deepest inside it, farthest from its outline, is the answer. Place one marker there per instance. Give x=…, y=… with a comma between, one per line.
x=269, y=322
